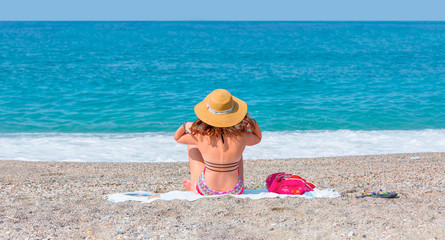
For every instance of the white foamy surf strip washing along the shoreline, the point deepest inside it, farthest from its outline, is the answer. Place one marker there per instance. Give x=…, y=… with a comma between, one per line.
x=160, y=147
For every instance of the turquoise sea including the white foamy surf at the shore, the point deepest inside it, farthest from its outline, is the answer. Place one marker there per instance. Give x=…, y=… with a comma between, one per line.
x=116, y=91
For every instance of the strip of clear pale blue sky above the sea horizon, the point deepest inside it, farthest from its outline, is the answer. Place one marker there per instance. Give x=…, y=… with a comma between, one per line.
x=222, y=10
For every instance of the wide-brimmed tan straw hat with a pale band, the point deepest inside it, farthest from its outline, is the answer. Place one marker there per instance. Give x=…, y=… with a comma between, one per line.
x=221, y=109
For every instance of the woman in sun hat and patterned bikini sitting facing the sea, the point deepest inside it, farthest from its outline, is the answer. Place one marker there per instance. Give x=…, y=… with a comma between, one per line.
x=216, y=142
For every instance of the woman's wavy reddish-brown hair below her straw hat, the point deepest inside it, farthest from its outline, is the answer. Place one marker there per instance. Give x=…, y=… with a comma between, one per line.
x=200, y=127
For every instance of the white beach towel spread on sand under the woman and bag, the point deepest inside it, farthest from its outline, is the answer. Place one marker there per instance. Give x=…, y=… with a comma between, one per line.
x=148, y=197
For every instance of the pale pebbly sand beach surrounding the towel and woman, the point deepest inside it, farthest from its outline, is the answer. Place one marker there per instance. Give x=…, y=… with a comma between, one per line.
x=62, y=200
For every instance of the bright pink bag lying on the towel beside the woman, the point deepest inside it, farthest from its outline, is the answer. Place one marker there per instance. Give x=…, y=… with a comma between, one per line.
x=283, y=183
